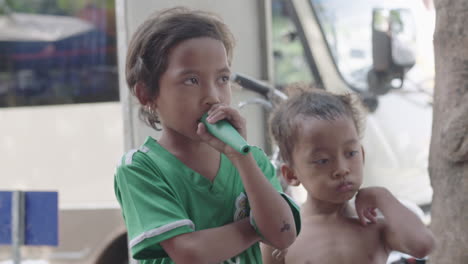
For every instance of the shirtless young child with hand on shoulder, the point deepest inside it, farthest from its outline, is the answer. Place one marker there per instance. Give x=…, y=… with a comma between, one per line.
x=319, y=137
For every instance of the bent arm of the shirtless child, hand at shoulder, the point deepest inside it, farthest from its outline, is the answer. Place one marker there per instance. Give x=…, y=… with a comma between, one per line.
x=403, y=230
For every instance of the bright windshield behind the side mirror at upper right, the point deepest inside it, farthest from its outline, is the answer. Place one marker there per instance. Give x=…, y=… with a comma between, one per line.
x=348, y=30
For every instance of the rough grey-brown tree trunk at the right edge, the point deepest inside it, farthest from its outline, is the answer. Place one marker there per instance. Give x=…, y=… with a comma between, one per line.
x=448, y=162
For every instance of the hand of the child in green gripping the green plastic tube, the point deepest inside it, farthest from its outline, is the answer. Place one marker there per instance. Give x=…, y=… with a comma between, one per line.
x=220, y=112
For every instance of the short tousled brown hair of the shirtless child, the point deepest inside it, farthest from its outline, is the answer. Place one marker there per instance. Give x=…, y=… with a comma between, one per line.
x=310, y=102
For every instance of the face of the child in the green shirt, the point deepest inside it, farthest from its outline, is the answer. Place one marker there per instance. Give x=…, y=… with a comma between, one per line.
x=197, y=77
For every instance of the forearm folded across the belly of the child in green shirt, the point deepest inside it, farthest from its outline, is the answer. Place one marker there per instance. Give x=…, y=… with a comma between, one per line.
x=212, y=245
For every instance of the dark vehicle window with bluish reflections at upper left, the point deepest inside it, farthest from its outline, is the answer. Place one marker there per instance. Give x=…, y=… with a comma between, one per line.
x=57, y=52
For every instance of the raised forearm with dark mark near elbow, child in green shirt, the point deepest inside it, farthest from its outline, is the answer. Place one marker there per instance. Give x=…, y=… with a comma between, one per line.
x=271, y=212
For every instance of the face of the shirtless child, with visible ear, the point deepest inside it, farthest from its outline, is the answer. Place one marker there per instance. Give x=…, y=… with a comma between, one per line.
x=327, y=159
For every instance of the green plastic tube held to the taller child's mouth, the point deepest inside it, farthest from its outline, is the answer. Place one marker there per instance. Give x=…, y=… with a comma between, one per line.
x=225, y=132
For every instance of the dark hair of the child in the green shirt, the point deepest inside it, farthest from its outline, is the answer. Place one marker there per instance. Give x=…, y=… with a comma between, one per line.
x=150, y=46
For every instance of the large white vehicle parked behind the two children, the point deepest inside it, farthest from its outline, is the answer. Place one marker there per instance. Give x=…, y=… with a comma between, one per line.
x=74, y=148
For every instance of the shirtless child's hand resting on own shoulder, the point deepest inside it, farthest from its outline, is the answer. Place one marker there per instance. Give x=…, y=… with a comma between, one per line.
x=366, y=204
